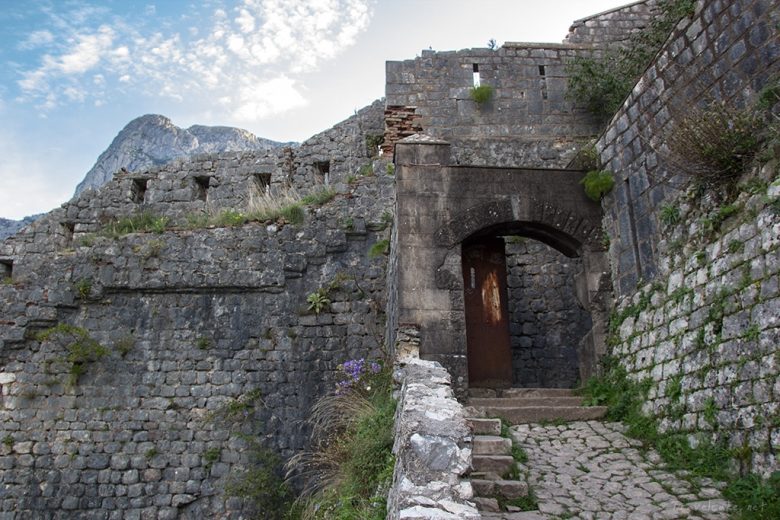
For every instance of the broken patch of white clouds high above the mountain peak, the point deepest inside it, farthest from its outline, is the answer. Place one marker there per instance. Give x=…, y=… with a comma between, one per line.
x=250, y=57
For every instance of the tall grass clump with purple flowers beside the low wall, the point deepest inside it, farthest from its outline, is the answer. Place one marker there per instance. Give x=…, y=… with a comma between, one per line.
x=347, y=474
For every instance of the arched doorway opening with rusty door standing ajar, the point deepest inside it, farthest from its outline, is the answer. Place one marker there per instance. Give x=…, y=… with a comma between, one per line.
x=525, y=324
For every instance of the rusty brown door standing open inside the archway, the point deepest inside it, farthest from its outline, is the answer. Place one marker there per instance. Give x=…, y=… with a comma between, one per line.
x=487, y=316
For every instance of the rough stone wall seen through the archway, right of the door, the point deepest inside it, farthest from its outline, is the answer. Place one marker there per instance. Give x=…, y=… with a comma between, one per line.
x=547, y=322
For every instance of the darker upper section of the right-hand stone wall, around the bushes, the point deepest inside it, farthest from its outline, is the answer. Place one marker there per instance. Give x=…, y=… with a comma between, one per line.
x=727, y=51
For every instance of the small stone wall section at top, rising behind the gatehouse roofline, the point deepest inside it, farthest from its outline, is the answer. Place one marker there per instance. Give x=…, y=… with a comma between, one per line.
x=613, y=26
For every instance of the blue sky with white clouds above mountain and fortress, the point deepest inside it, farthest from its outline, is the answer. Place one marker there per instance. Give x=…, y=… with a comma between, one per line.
x=74, y=72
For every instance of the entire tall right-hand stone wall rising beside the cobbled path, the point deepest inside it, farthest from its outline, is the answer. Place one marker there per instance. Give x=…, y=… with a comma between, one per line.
x=698, y=303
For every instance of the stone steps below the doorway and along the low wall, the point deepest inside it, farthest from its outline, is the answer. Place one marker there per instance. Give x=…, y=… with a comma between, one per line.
x=499, y=481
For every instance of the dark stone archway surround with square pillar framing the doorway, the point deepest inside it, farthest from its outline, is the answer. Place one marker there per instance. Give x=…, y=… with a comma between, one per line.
x=440, y=205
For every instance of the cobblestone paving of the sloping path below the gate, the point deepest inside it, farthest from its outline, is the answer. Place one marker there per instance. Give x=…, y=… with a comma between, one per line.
x=590, y=470
